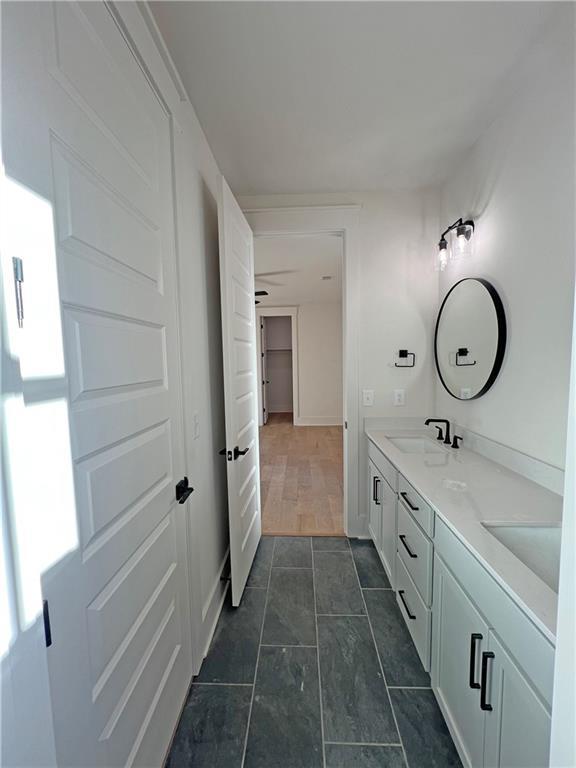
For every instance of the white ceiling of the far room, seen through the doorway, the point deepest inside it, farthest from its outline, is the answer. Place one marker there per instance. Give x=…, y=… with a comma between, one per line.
x=305, y=261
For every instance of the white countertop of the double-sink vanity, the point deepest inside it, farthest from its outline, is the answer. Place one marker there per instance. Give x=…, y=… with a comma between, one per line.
x=465, y=490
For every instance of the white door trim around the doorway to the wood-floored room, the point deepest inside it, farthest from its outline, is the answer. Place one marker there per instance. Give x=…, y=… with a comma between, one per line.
x=340, y=220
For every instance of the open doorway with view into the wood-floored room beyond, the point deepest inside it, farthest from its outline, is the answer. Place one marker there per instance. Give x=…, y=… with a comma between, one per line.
x=298, y=285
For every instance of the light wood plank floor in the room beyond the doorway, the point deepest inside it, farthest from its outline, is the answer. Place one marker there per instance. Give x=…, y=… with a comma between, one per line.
x=301, y=474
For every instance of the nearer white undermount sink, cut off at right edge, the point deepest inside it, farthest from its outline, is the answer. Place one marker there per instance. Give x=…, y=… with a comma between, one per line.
x=537, y=546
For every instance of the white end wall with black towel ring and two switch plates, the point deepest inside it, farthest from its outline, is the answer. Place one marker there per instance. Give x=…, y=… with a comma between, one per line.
x=398, y=289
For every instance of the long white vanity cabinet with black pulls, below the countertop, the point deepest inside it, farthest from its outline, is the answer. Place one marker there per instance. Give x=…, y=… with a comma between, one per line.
x=491, y=665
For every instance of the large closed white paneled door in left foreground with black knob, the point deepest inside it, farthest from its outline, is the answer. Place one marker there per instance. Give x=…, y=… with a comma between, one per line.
x=87, y=133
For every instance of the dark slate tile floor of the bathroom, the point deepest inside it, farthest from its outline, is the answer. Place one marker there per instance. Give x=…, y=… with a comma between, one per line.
x=316, y=669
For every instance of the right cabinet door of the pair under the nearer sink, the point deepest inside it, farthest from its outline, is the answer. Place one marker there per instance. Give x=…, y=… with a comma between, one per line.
x=517, y=728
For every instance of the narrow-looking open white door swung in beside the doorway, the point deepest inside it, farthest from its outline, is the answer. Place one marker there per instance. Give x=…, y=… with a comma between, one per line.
x=240, y=386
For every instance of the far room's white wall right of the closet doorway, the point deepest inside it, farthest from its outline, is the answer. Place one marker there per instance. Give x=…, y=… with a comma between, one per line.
x=320, y=363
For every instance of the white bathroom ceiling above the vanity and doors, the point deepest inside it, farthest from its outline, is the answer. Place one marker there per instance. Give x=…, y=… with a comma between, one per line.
x=344, y=96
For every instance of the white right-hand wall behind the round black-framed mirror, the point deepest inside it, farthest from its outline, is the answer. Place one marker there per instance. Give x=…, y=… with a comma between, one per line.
x=517, y=184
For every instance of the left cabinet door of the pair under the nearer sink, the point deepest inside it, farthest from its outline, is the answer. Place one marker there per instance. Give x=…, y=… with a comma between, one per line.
x=459, y=636
